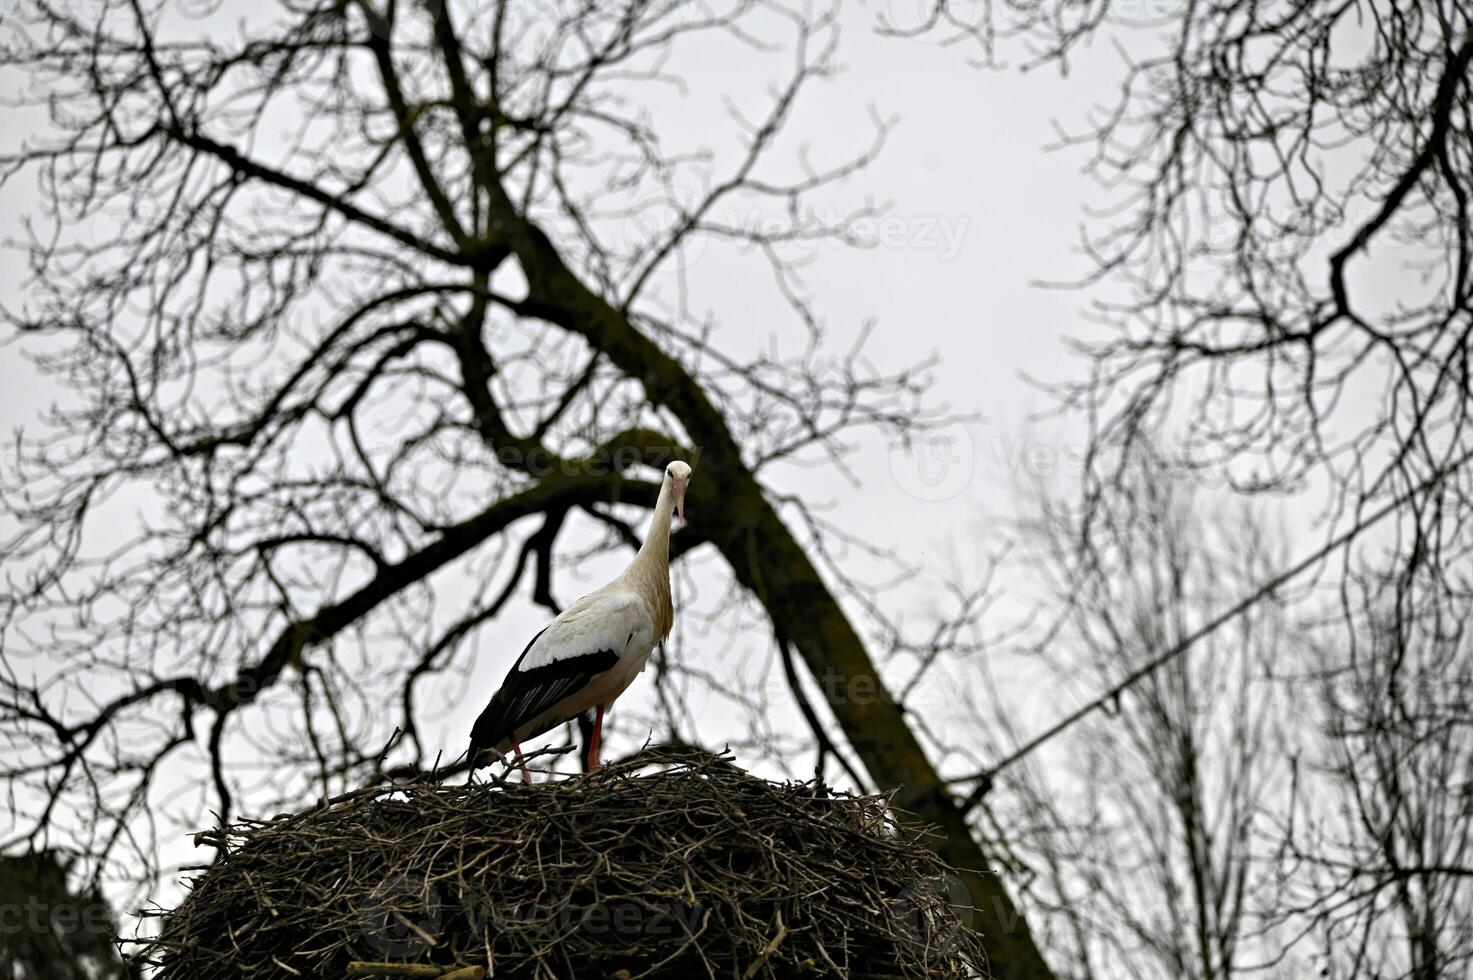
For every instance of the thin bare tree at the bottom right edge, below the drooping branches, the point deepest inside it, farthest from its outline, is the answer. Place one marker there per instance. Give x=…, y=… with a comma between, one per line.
x=1379, y=854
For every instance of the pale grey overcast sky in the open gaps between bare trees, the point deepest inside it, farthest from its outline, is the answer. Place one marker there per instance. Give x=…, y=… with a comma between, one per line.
x=976, y=213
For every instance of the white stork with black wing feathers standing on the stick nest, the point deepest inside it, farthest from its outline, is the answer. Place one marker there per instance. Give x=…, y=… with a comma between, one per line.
x=593, y=651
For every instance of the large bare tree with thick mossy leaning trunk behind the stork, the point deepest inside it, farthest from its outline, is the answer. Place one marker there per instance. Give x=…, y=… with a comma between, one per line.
x=362, y=309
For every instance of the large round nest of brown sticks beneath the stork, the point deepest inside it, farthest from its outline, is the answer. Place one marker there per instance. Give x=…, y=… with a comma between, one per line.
x=667, y=866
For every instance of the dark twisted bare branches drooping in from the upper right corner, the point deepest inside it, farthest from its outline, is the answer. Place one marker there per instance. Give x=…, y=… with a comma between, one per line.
x=1287, y=266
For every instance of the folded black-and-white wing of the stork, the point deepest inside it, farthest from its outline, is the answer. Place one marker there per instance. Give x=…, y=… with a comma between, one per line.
x=572, y=651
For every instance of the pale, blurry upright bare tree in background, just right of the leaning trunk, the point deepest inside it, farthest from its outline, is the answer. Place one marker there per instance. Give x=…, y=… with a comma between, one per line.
x=1142, y=825
